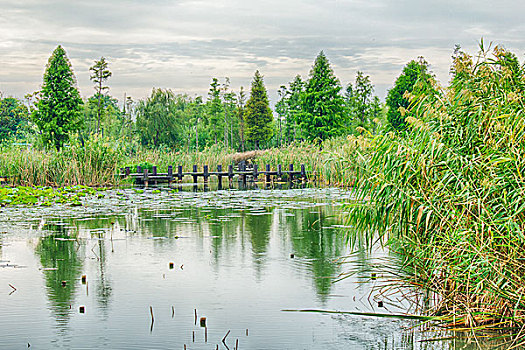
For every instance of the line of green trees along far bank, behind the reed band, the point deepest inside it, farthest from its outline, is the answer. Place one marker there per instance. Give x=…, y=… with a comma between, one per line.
x=314, y=109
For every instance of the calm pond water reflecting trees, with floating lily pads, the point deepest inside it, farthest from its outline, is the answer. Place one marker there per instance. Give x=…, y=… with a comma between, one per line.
x=232, y=262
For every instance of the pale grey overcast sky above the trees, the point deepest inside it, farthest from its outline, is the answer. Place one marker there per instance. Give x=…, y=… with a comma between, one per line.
x=182, y=44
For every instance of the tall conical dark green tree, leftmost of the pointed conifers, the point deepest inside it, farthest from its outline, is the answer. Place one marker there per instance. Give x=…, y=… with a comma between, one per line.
x=59, y=107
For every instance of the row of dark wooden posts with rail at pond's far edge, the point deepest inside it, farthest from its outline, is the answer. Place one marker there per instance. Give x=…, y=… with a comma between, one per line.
x=145, y=177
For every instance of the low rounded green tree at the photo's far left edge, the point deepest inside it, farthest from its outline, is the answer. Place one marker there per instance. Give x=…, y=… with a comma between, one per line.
x=14, y=119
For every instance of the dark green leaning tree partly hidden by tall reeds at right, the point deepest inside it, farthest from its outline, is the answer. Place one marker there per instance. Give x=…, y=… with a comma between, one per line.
x=414, y=72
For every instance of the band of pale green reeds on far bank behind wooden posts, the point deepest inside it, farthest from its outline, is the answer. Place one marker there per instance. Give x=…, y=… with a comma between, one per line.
x=97, y=161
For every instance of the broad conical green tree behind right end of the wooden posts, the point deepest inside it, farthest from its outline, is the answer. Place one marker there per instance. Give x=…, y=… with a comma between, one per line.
x=322, y=113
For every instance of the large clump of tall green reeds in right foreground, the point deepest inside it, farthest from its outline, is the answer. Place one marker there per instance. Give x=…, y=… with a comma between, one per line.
x=449, y=193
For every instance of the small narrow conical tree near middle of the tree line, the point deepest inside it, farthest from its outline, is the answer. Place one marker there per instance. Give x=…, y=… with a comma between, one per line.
x=258, y=115
